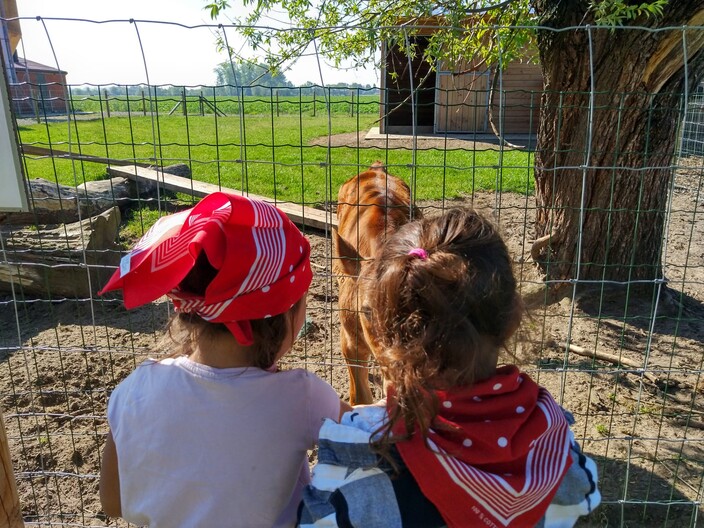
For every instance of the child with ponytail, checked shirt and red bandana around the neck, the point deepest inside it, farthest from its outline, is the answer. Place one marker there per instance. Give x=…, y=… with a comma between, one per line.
x=460, y=441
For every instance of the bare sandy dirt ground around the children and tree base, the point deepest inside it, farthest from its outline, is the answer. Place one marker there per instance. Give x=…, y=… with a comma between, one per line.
x=646, y=434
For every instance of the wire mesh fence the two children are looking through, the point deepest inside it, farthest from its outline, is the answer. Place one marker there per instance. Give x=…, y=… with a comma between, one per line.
x=622, y=350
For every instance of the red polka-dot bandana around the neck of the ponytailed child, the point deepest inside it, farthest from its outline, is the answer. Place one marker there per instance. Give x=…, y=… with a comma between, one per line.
x=498, y=452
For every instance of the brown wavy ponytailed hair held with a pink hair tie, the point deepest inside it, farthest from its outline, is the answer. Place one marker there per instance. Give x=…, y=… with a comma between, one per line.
x=439, y=322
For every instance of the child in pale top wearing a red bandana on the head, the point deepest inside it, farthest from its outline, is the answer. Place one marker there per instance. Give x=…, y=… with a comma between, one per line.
x=213, y=435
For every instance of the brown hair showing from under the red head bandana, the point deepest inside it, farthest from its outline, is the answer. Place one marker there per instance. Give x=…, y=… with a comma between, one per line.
x=186, y=329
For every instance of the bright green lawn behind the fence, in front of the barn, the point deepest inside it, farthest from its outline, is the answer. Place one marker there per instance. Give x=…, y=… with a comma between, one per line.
x=269, y=155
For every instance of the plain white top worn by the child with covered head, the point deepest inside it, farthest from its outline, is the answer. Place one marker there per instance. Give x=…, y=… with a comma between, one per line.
x=200, y=446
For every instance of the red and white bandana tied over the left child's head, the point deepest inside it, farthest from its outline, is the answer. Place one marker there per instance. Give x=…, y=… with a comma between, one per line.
x=261, y=257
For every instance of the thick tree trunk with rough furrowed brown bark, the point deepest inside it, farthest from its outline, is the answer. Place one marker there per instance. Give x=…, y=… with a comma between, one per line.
x=603, y=159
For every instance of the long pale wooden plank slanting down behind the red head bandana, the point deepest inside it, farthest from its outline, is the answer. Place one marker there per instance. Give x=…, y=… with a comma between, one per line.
x=298, y=213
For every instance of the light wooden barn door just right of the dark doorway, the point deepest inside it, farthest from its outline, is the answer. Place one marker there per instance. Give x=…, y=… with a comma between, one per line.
x=462, y=101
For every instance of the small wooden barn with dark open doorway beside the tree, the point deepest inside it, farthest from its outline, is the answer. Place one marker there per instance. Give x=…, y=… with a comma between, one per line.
x=456, y=99
